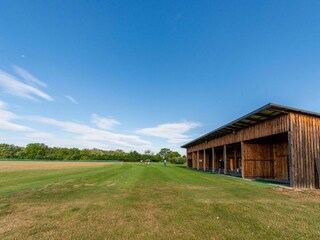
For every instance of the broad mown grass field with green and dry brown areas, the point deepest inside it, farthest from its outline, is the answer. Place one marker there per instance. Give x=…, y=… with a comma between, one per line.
x=137, y=201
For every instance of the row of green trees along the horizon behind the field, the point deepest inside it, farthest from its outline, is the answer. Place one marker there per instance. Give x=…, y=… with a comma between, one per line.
x=43, y=152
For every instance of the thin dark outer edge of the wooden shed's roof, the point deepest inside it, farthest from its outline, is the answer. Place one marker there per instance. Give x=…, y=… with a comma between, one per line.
x=285, y=109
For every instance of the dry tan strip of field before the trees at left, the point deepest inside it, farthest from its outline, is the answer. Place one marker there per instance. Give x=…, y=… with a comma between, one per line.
x=9, y=166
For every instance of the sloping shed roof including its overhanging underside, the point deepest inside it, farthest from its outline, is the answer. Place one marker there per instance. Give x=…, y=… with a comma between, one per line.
x=266, y=112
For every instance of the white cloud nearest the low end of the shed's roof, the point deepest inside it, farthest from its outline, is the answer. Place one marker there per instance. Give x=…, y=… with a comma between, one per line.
x=174, y=133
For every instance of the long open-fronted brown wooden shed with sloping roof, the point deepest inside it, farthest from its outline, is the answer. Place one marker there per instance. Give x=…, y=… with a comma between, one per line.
x=274, y=143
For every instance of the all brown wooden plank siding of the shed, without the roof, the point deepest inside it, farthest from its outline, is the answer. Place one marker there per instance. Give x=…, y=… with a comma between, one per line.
x=294, y=159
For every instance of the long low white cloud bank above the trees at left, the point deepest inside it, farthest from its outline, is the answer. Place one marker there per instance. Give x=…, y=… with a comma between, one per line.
x=67, y=134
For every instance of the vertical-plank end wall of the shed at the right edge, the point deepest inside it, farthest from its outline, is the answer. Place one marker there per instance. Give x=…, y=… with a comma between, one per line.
x=305, y=137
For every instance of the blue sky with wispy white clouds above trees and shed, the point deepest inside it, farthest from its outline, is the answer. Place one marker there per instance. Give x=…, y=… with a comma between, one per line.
x=150, y=74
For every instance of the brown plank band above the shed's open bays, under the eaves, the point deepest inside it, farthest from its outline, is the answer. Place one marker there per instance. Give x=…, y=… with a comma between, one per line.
x=267, y=128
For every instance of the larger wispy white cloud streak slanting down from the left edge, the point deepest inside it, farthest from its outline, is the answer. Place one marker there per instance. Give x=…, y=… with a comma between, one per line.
x=13, y=86
